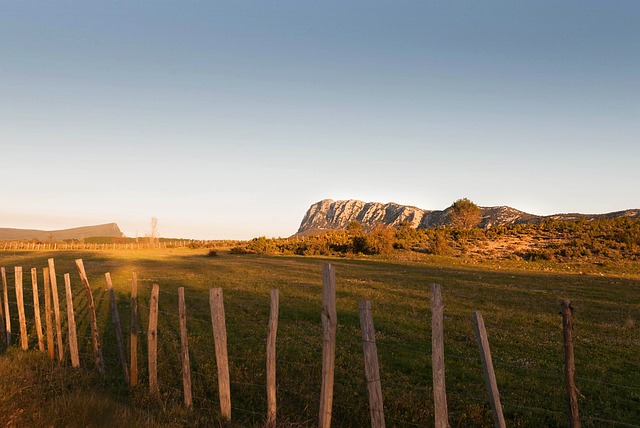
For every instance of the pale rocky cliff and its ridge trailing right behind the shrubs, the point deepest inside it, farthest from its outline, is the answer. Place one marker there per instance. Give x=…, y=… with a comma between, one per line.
x=330, y=215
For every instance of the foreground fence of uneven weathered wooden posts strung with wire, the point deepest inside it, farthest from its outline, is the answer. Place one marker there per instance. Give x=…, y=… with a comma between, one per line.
x=81, y=316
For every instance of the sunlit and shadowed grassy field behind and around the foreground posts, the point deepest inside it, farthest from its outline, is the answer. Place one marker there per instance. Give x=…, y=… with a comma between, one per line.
x=519, y=302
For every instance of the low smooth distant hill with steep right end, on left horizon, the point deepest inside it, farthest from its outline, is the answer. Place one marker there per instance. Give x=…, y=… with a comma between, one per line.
x=110, y=230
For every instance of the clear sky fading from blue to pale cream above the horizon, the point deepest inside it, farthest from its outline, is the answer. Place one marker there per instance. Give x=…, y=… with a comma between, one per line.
x=228, y=119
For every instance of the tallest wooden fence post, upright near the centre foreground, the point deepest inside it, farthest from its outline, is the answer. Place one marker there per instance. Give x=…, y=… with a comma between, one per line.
x=329, y=325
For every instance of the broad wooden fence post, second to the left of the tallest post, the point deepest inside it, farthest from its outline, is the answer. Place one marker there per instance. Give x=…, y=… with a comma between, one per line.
x=219, y=326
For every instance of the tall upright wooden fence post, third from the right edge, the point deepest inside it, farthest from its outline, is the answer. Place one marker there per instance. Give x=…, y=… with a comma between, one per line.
x=437, y=350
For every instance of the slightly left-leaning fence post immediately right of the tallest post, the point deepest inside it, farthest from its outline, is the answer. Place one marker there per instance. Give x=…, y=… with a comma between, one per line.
x=372, y=371
